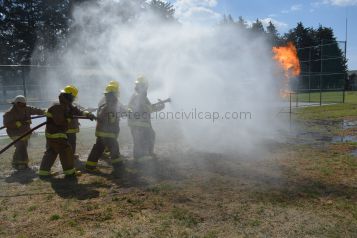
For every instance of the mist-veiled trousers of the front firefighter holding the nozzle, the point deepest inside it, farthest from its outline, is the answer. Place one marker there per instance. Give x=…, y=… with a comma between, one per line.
x=144, y=141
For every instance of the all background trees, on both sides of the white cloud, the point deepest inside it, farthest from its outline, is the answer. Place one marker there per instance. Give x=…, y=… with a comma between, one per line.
x=42, y=26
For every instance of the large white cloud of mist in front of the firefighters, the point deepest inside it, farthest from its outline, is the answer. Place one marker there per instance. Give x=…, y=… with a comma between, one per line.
x=202, y=68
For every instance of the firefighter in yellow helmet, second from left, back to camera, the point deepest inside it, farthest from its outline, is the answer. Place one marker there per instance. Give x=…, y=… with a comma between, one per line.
x=58, y=120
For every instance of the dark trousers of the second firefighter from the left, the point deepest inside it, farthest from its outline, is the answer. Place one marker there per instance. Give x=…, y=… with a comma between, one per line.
x=55, y=147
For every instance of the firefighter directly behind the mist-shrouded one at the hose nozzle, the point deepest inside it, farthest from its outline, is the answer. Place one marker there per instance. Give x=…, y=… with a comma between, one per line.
x=107, y=131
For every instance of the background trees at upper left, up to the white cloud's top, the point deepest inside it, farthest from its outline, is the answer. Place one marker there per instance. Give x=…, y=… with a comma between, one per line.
x=30, y=30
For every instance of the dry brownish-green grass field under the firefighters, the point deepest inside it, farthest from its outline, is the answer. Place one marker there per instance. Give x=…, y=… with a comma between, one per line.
x=303, y=187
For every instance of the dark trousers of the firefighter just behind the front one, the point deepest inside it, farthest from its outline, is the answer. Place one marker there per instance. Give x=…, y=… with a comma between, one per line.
x=99, y=147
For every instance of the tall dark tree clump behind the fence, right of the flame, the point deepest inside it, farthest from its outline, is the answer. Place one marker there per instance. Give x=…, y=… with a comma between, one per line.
x=323, y=64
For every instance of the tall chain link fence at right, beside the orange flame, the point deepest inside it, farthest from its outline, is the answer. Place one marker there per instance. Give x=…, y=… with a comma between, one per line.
x=323, y=75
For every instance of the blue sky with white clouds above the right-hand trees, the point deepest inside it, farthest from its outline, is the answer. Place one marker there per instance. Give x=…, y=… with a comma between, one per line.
x=285, y=14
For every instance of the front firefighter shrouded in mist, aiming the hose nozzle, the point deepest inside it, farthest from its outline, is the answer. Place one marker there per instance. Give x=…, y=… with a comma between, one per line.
x=139, y=120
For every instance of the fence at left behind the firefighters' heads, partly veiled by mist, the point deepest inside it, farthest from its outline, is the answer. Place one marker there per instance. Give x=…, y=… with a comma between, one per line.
x=41, y=84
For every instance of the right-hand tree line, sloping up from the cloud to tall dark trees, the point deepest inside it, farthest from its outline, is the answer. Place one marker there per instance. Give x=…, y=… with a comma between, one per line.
x=322, y=57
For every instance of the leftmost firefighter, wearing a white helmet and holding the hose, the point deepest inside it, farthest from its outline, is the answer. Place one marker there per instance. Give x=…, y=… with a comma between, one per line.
x=17, y=121
